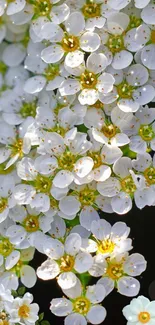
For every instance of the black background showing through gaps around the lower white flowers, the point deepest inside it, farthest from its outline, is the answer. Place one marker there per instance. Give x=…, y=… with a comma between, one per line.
x=142, y=224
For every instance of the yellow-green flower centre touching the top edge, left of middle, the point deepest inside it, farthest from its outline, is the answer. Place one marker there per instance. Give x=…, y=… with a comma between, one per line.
x=41, y=7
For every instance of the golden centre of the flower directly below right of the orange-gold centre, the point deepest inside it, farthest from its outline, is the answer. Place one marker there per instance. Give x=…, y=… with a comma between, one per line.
x=88, y=80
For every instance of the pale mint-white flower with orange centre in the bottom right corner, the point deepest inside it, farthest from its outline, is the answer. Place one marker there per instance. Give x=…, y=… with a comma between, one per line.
x=140, y=311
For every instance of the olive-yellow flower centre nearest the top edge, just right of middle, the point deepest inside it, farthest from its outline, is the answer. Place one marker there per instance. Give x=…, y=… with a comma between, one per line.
x=91, y=10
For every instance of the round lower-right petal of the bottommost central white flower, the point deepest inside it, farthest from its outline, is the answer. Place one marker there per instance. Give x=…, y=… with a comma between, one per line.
x=96, y=314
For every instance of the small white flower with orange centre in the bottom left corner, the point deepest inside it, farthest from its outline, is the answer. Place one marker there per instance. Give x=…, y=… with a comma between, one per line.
x=23, y=310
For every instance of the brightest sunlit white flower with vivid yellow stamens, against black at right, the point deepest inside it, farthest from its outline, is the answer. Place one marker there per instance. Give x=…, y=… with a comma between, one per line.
x=111, y=240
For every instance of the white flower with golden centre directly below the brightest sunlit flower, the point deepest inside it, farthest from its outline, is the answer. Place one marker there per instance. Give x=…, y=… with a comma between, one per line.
x=119, y=272
